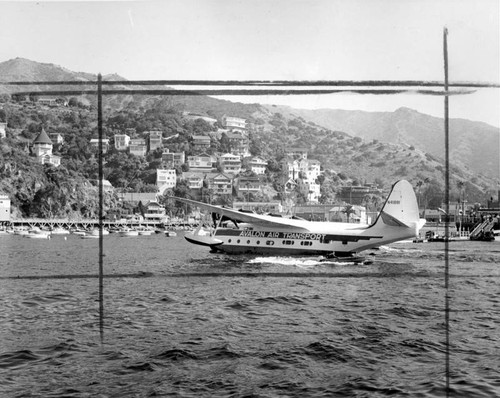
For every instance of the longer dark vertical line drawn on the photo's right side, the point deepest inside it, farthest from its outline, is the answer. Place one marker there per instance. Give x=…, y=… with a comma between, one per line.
x=447, y=209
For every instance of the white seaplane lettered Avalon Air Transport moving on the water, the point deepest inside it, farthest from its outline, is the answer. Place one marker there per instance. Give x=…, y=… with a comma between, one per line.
x=243, y=232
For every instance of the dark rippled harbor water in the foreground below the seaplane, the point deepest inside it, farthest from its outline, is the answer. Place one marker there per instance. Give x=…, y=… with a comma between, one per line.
x=179, y=321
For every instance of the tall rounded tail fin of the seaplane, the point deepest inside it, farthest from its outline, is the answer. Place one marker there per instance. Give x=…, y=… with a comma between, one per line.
x=401, y=208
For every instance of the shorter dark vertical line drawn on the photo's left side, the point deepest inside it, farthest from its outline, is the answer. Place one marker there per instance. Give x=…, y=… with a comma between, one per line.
x=101, y=203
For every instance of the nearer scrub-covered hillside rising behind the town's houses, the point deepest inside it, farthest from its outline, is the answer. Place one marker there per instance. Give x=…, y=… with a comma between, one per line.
x=345, y=158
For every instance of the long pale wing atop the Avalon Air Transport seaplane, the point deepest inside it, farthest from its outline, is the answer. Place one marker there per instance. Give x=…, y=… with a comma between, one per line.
x=251, y=218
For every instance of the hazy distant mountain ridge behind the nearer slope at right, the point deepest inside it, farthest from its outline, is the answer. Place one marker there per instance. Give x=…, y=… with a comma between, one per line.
x=473, y=145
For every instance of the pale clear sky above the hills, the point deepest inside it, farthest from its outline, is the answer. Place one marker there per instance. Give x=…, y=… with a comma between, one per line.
x=272, y=40
